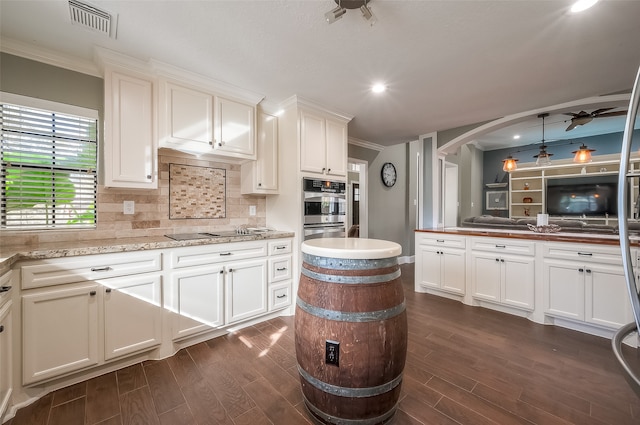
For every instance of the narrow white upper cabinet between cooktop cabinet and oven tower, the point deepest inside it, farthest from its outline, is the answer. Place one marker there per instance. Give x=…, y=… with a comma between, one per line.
x=261, y=176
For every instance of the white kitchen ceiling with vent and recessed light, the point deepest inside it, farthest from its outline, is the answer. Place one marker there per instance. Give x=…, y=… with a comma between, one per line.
x=446, y=63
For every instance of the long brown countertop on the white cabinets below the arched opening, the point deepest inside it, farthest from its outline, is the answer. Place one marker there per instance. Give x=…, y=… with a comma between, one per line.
x=592, y=238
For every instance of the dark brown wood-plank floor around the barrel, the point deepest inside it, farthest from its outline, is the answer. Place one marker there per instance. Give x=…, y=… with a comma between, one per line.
x=465, y=365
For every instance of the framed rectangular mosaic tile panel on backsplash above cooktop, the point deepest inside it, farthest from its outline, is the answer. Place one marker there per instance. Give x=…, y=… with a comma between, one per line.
x=196, y=192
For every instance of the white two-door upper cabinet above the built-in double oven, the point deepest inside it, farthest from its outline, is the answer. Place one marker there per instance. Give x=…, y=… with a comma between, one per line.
x=323, y=145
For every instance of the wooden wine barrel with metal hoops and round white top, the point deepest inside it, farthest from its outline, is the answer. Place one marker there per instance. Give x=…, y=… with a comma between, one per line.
x=350, y=330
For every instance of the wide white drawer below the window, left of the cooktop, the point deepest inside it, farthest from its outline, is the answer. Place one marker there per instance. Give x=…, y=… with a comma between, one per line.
x=57, y=271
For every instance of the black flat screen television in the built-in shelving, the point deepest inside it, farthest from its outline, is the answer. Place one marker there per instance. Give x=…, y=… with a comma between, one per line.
x=583, y=196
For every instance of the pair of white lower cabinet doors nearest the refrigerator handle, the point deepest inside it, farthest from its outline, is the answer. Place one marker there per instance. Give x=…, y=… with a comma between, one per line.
x=590, y=292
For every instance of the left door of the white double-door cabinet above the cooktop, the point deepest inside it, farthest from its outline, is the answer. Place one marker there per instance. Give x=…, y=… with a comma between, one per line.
x=189, y=118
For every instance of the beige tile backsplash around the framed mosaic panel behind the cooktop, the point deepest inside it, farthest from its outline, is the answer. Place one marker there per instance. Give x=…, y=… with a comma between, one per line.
x=151, y=217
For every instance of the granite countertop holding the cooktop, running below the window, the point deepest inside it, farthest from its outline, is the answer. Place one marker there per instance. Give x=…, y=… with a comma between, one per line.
x=9, y=255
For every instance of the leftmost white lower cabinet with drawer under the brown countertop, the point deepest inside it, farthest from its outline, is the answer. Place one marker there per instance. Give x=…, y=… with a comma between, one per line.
x=441, y=265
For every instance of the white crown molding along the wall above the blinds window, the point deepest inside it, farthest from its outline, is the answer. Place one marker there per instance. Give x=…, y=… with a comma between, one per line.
x=49, y=57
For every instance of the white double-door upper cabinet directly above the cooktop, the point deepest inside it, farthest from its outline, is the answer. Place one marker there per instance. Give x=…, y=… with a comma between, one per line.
x=201, y=122
